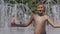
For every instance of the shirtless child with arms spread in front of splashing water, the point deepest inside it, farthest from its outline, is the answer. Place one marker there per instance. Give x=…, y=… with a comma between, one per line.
x=39, y=21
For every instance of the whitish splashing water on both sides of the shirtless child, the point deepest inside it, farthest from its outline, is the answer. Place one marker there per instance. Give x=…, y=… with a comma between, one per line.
x=7, y=10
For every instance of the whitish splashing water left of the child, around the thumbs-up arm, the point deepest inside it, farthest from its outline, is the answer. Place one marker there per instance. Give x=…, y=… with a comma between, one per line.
x=6, y=12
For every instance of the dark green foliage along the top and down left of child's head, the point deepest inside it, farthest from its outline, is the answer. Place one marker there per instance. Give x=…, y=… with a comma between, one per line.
x=31, y=4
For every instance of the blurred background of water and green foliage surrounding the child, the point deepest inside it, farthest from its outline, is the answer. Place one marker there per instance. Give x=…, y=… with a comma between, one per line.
x=22, y=10
